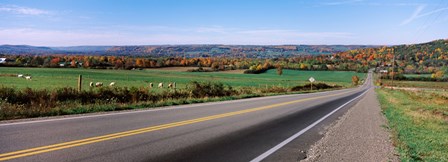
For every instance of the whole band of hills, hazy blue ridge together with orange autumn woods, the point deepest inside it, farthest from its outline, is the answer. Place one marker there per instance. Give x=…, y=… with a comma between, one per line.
x=425, y=58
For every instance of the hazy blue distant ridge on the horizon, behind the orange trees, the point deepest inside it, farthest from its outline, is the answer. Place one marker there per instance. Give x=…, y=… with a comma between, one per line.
x=252, y=51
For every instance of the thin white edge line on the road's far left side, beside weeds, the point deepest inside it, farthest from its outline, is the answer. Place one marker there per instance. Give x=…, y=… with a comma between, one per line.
x=162, y=109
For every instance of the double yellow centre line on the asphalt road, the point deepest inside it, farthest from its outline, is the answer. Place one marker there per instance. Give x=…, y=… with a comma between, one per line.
x=60, y=146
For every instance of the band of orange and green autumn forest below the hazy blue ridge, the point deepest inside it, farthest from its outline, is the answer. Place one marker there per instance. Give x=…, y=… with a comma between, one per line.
x=426, y=58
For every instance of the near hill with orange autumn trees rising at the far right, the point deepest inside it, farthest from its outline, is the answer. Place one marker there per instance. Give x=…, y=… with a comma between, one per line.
x=415, y=58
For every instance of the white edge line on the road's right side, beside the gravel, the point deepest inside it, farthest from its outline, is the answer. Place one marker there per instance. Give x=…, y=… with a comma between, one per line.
x=280, y=145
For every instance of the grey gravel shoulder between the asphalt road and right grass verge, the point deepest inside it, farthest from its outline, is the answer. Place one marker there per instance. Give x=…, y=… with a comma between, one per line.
x=359, y=135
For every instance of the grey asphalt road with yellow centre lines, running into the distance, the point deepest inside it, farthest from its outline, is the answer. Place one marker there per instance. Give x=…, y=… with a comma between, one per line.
x=241, y=130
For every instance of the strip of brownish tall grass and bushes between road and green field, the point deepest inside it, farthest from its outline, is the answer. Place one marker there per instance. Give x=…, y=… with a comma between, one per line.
x=29, y=102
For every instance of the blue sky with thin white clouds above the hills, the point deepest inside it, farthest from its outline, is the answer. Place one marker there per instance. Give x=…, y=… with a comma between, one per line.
x=244, y=22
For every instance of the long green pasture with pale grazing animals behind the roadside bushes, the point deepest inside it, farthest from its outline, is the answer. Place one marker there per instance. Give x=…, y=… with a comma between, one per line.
x=51, y=78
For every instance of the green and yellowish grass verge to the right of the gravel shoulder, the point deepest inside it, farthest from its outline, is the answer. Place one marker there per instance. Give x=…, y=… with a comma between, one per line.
x=419, y=122
